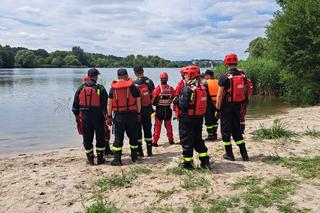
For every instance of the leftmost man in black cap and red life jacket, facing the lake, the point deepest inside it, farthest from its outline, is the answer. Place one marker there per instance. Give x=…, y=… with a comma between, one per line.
x=90, y=99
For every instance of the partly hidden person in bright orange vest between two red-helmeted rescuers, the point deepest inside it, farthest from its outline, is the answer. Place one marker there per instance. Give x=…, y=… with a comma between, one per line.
x=211, y=121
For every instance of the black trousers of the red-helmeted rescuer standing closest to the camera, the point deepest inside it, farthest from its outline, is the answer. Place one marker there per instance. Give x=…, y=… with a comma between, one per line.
x=190, y=132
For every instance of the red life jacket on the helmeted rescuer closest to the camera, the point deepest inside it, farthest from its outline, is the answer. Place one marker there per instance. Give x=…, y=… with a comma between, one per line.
x=198, y=102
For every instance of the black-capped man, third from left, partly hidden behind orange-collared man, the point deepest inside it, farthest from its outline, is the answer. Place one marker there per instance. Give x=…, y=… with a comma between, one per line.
x=146, y=87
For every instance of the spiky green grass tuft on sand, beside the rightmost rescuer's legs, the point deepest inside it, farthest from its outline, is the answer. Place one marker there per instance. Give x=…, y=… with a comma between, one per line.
x=278, y=130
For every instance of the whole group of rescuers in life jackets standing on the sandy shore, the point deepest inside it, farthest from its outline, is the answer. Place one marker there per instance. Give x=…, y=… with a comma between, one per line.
x=128, y=108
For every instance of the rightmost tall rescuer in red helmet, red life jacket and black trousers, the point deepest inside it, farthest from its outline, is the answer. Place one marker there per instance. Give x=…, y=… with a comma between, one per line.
x=231, y=95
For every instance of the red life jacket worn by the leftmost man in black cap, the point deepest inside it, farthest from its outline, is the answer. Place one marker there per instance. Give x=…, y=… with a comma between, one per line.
x=89, y=96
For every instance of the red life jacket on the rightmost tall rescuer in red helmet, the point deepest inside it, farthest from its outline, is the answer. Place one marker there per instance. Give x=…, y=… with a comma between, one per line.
x=237, y=91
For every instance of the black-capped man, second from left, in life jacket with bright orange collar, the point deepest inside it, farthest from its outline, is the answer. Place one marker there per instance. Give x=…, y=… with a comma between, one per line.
x=124, y=101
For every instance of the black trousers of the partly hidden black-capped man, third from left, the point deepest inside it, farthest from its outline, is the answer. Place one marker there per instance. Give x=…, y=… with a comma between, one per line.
x=146, y=125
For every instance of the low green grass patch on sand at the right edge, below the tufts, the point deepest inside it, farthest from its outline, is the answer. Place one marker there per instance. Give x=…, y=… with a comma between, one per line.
x=306, y=167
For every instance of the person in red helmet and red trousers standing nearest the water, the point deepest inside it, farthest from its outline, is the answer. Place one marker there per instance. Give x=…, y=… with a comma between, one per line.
x=162, y=99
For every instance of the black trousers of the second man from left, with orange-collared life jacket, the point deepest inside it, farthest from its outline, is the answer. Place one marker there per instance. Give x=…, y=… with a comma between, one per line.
x=125, y=123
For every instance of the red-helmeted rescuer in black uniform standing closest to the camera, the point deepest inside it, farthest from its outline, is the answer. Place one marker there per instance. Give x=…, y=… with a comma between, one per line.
x=192, y=103
